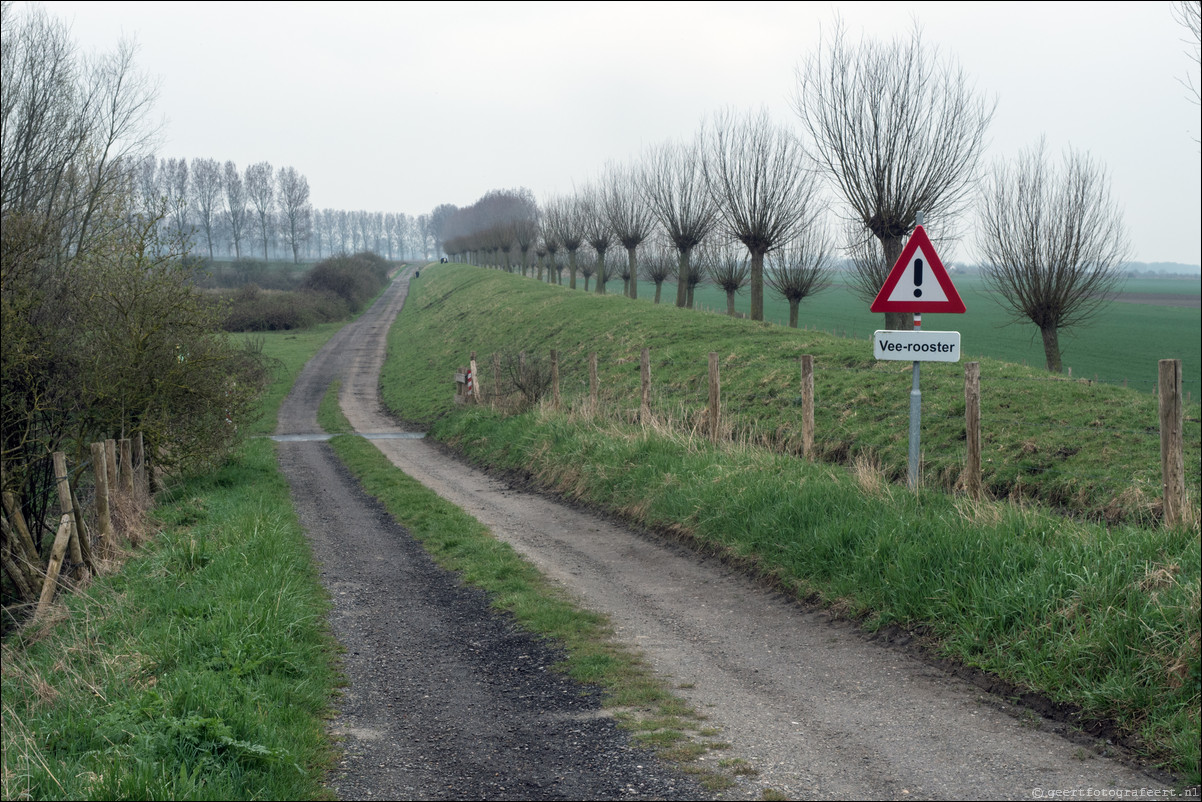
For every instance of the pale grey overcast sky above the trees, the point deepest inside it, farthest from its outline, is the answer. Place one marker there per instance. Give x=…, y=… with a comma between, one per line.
x=402, y=106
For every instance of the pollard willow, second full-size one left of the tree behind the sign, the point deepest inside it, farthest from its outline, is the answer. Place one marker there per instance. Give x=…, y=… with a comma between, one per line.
x=674, y=183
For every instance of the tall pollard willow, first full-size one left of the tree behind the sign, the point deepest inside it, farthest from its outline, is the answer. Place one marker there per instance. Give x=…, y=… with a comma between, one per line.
x=761, y=180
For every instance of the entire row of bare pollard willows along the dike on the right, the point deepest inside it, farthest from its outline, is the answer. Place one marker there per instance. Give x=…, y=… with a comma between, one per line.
x=889, y=132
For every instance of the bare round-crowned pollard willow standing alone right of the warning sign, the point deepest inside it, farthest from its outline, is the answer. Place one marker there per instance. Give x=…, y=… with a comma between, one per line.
x=1054, y=242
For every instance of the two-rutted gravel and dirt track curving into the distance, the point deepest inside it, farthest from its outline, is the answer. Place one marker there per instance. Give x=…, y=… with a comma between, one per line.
x=817, y=709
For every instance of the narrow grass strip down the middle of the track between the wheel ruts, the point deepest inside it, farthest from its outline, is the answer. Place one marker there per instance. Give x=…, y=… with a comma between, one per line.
x=459, y=543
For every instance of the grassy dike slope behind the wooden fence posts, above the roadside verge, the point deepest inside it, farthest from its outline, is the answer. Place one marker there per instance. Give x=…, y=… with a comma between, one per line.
x=1087, y=448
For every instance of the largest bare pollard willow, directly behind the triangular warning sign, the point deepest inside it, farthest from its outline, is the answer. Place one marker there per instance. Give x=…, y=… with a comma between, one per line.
x=898, y=132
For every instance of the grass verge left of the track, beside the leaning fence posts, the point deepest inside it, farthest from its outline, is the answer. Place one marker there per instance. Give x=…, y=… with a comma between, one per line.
x=204, y=669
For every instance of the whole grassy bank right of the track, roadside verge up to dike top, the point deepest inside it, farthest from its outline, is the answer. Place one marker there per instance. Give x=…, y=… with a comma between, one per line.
x=1102, y=617
